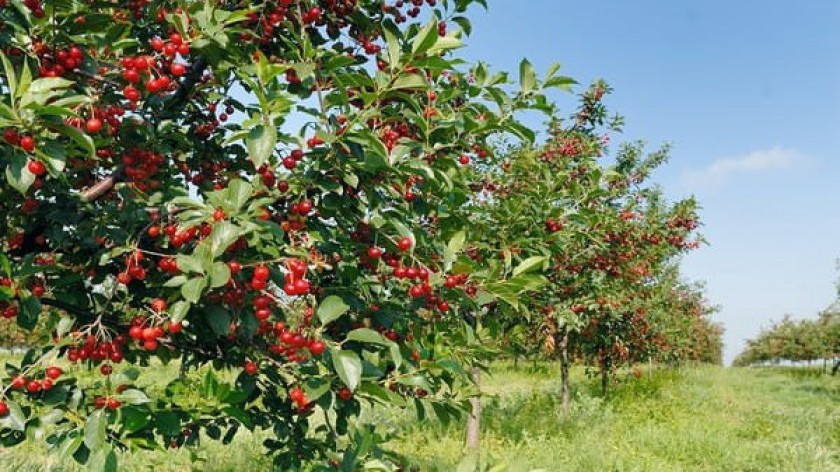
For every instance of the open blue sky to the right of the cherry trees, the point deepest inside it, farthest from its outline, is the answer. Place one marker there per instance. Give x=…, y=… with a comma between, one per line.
x=748, y=92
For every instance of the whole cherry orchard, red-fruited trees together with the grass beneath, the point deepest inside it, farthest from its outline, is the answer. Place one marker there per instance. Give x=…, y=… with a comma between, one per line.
x=311, y=235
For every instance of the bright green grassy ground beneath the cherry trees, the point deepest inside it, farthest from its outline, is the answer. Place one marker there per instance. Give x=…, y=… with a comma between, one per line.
x=698, y=419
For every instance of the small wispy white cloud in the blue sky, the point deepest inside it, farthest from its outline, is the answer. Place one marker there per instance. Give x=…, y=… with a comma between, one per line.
x=720, y=171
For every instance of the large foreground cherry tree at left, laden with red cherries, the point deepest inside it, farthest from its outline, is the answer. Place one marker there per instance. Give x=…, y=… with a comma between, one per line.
x=265, y=187
